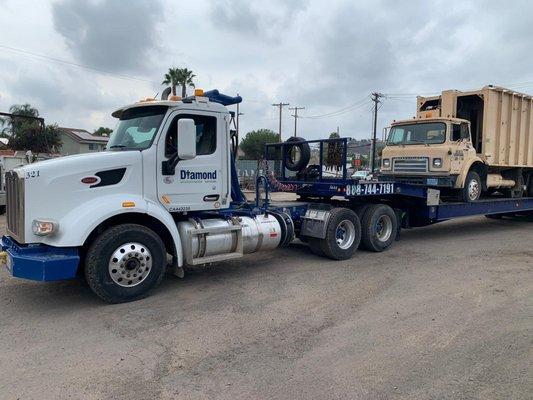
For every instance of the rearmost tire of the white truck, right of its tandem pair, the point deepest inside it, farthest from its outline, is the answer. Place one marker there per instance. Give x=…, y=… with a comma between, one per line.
x=379, y=226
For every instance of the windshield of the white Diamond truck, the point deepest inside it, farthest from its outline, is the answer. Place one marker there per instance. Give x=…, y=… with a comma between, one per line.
x=136, y=128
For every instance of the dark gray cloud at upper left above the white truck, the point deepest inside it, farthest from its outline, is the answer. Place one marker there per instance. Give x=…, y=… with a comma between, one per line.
x=113, y=35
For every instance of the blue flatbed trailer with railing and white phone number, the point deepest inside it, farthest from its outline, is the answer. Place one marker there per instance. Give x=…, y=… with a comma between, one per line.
x=422, y=205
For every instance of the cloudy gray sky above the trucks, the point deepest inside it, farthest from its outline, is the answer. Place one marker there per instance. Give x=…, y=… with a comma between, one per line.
x=76, y=61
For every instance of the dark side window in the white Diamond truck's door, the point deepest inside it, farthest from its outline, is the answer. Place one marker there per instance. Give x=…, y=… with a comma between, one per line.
x=206, y=134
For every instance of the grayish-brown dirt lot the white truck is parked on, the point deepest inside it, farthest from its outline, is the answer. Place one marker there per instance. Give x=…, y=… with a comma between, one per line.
x=445, y=314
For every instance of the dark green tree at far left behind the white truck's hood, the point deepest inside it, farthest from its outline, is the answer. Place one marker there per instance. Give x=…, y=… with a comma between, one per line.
x=27, y=133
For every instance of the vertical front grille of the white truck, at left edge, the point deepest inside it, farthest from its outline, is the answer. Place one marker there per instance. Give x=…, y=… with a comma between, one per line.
x=15, y=205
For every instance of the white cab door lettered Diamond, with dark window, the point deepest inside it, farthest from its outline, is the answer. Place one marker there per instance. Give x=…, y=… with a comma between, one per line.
x=199, y=183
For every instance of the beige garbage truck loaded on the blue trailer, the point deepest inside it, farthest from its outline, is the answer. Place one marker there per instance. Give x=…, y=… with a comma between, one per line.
x=470, y=142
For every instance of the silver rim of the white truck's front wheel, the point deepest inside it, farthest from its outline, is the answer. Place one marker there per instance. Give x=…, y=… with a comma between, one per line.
x=130, y=264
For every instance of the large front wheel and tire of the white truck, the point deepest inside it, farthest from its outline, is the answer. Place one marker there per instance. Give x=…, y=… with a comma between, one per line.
x=139, y=268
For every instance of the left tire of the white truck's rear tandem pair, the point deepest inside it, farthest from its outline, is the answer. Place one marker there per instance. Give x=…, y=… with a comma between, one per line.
x=343, y=234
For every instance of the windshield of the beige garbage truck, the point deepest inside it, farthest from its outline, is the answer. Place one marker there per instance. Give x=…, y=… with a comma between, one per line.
x=426, y=133
